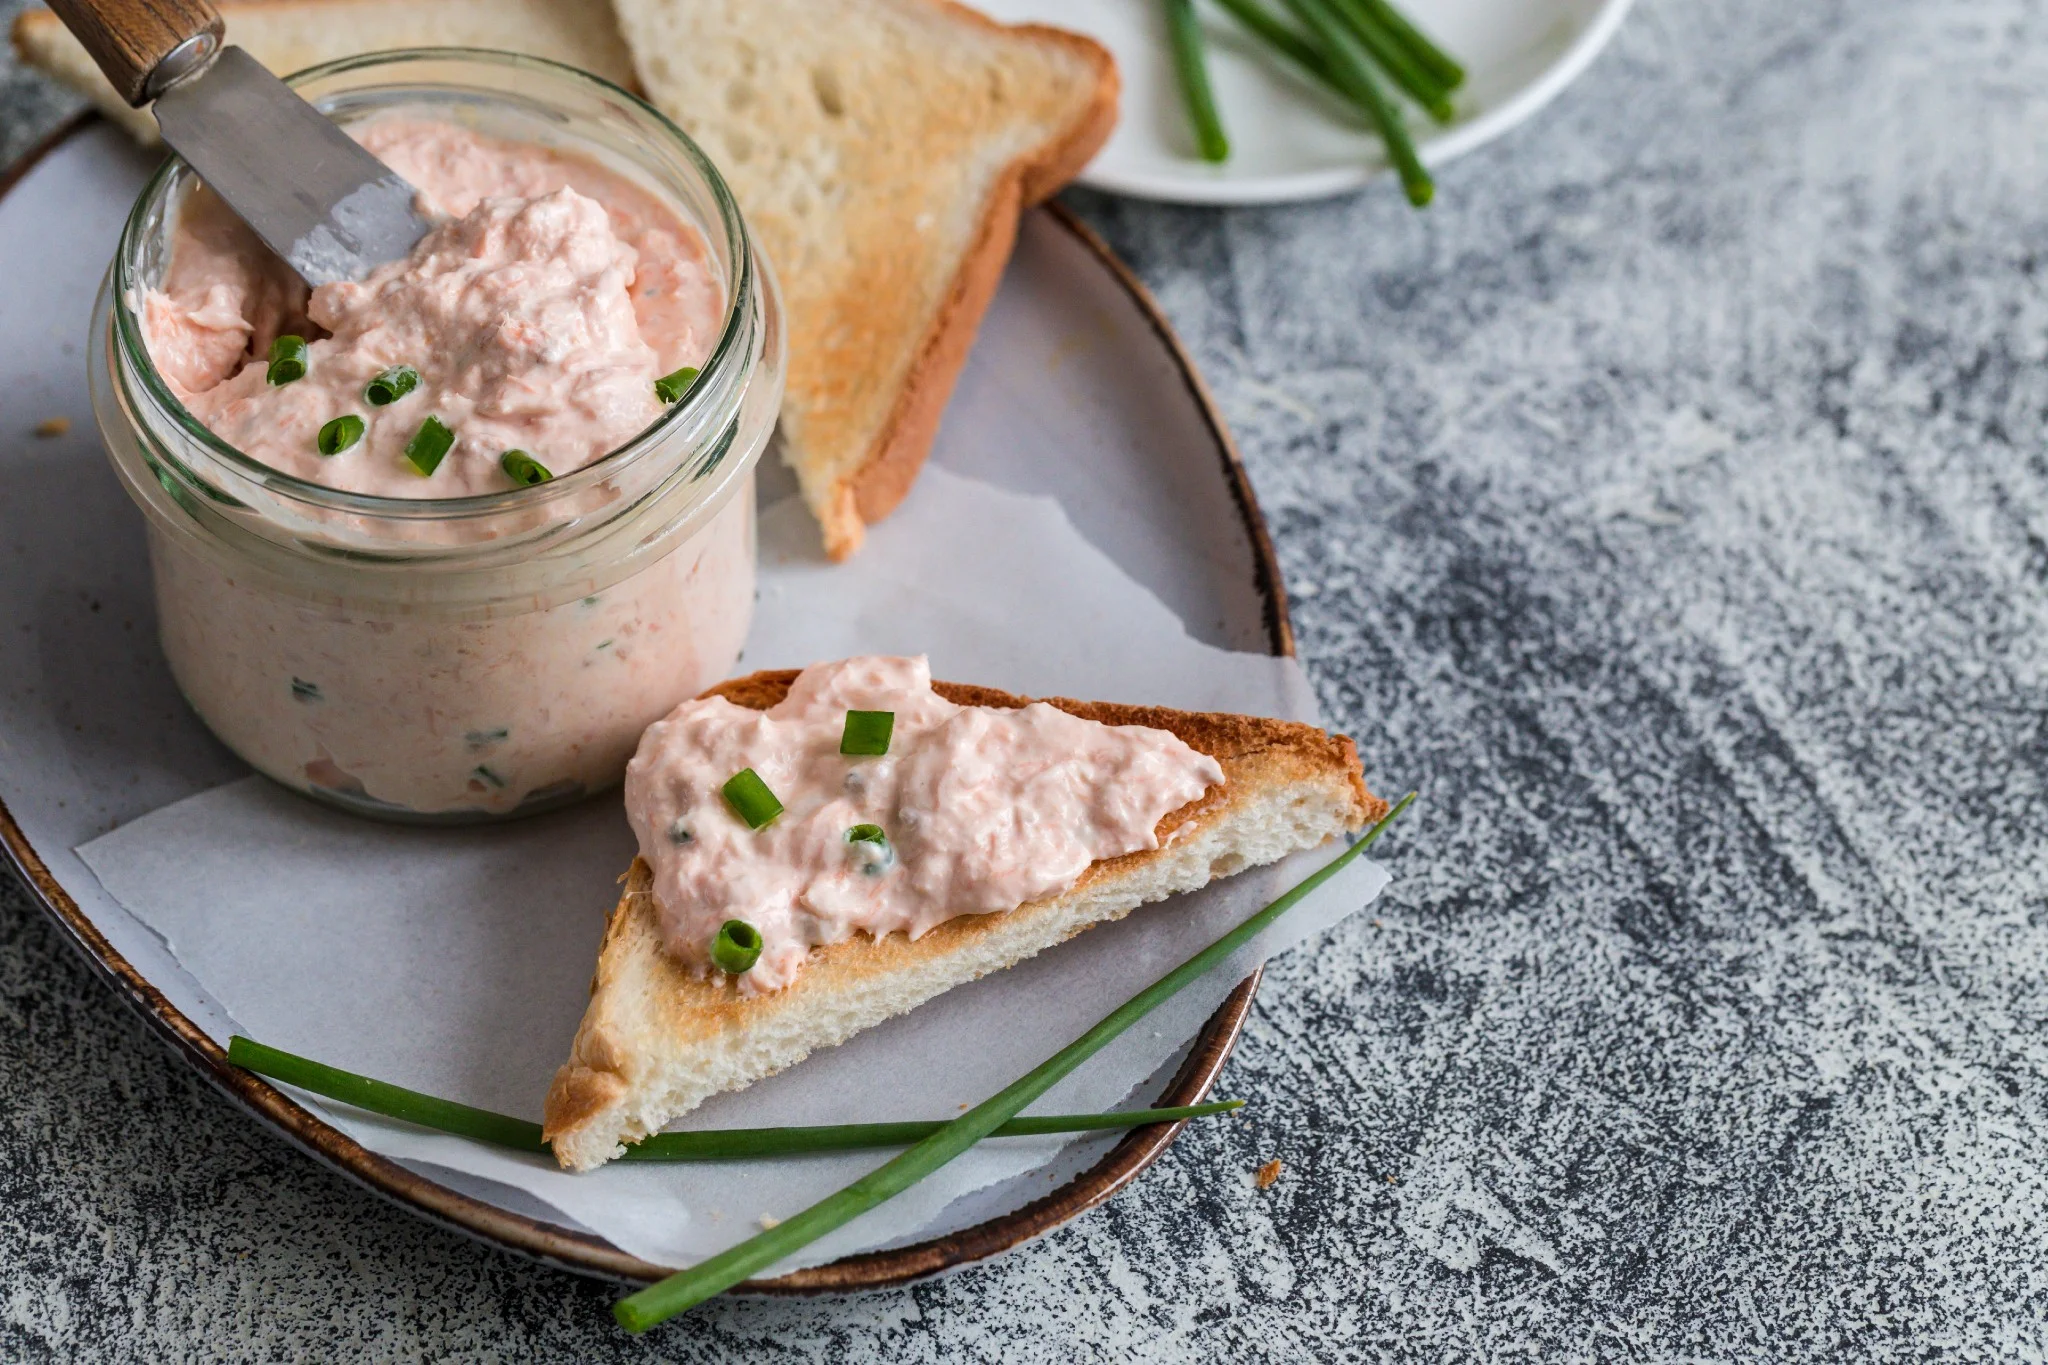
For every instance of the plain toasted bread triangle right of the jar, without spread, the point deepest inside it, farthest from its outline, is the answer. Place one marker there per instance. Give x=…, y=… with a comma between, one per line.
x=882, y=152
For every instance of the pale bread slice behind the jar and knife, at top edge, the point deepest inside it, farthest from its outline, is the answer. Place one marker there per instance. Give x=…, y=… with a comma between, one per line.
x=290, y=36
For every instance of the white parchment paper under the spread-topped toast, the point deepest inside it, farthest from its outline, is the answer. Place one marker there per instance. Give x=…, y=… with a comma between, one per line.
x=458, y=961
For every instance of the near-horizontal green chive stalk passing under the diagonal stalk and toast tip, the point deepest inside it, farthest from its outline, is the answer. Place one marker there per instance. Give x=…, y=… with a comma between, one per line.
x=712, y=1145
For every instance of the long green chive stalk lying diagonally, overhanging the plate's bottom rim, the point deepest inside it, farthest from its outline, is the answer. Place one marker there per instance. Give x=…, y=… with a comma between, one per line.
x=718, y=1274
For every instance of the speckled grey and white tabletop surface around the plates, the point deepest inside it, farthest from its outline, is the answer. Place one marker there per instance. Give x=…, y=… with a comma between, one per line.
x=1670, y=504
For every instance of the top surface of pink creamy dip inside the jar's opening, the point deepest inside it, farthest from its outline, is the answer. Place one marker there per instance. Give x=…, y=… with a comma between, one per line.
x=540, y=314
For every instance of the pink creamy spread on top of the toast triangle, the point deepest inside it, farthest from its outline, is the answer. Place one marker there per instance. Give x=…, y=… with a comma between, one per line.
x=984, y=807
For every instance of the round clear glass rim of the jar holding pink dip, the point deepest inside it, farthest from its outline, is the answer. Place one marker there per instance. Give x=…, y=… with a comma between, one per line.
x=740, y=288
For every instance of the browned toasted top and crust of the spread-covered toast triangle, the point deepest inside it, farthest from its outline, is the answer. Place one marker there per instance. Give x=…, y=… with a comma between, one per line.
x=642, y=994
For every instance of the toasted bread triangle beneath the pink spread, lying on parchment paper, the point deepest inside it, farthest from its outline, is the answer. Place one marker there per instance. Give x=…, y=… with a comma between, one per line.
x=658, y=1041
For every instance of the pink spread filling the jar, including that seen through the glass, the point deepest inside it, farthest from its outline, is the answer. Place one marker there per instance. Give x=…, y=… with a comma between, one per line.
x=497, y=658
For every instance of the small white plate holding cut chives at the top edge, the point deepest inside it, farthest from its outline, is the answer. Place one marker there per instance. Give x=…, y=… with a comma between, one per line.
x=1289, y=140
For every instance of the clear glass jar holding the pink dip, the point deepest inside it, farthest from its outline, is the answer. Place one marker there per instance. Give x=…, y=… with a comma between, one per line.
x=462, y=658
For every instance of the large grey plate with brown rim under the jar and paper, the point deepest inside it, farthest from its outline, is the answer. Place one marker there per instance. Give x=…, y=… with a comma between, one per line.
x=1074, y=359
